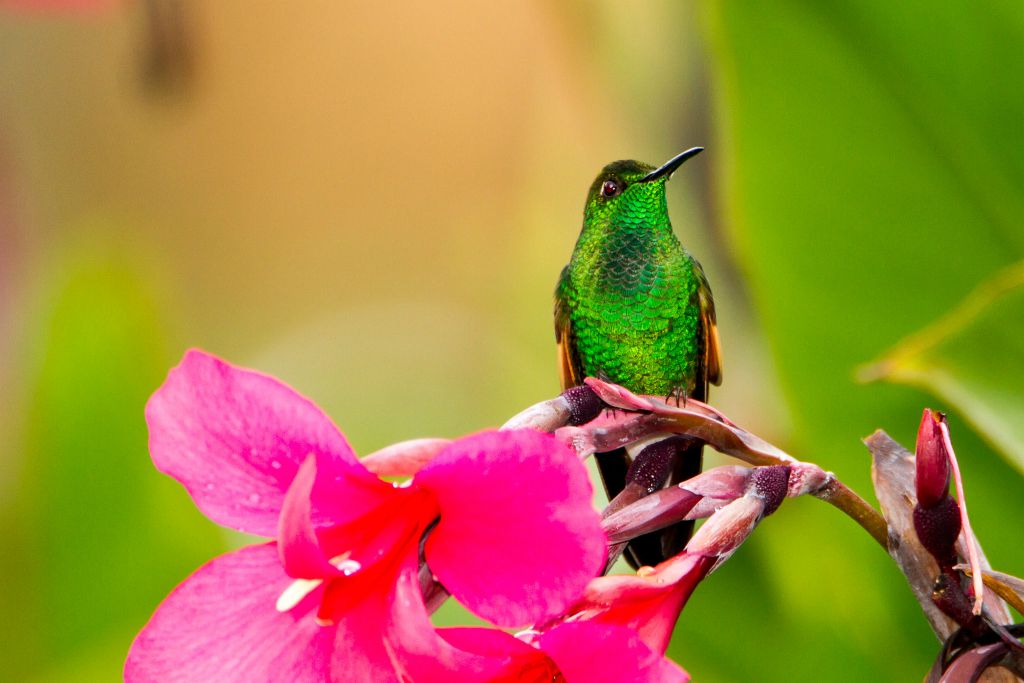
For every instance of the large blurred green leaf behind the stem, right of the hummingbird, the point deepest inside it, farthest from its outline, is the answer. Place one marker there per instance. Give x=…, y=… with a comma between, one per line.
x=868, y=183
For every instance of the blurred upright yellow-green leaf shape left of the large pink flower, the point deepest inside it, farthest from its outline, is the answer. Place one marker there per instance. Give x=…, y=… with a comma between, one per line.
x=106, y=536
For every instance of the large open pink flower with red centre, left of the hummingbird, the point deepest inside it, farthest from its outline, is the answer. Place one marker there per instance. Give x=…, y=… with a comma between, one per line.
x=513, y=536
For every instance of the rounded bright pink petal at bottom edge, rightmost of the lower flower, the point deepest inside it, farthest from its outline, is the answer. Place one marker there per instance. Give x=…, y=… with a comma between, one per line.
x=586, y=652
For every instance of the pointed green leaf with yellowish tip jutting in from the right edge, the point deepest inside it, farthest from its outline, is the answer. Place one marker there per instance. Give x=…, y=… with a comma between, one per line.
x=974, y=359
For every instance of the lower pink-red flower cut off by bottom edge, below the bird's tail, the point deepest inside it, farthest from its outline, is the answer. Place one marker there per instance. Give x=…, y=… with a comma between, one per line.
x=618, y=632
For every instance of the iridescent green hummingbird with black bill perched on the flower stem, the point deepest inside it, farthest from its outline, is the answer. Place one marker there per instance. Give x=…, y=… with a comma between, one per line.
x=633, y=308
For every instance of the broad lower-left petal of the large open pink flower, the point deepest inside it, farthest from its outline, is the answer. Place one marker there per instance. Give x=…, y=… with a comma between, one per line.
x=222, y=625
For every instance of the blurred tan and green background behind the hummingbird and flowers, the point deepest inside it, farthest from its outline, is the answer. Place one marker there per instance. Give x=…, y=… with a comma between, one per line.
x=374, y=202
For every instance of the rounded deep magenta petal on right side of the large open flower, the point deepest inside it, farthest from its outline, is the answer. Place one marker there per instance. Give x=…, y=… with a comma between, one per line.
x=519, y=538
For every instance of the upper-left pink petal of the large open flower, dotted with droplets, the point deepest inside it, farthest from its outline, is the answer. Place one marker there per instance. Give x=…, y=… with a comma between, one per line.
x=236, y=439
